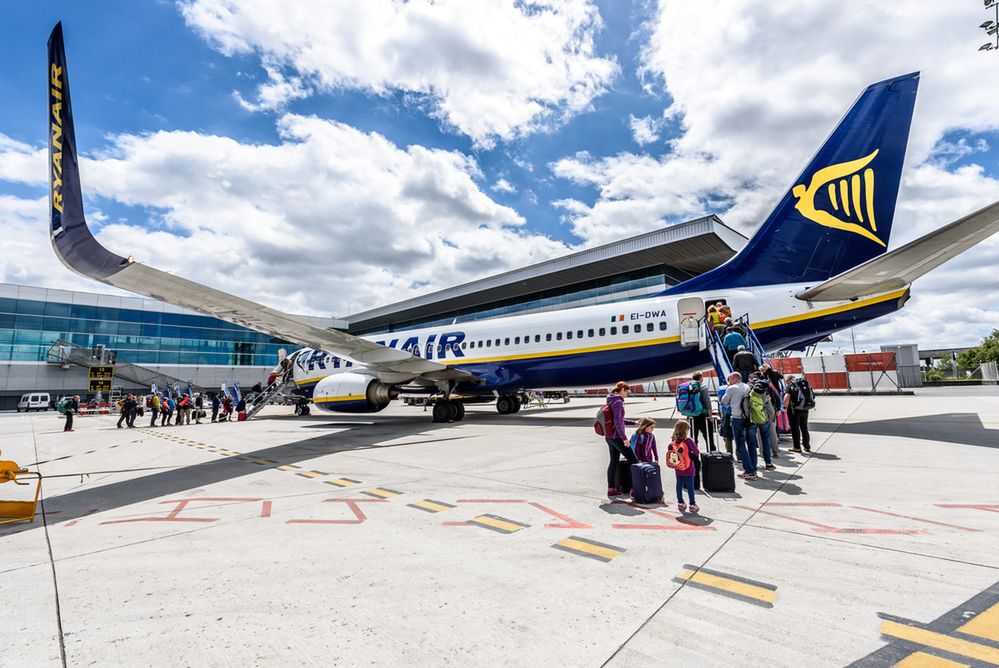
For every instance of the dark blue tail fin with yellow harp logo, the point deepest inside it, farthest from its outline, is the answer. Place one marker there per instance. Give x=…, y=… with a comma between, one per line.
x=839, y=212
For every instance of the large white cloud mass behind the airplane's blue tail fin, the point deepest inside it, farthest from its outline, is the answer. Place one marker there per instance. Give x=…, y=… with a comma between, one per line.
x=752, y=111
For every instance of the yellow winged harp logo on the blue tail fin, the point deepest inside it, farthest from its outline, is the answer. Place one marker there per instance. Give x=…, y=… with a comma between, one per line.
x=849, y=188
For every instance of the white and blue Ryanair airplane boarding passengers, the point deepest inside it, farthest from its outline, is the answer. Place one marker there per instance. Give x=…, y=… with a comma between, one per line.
x=817, y=264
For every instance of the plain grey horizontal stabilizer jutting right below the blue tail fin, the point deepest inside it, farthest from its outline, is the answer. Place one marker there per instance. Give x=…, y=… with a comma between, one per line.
x=900, y=267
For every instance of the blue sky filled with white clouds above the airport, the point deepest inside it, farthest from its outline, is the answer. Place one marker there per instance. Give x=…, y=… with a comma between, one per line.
x=330, y=157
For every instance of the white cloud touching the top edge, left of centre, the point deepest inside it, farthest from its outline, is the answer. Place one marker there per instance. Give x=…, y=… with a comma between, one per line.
x=491, y=69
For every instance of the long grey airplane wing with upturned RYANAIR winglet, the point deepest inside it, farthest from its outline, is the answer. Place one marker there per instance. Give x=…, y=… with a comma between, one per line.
x=77, y=248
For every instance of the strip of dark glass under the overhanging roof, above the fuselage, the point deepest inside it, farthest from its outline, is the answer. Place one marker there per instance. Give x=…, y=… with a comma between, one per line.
x=620, y=287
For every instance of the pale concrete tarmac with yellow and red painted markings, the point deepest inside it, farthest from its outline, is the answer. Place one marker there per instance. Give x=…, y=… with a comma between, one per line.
x=386, y=539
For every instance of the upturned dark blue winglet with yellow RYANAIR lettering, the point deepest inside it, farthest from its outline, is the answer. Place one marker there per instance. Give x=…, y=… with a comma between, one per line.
x=74, y=245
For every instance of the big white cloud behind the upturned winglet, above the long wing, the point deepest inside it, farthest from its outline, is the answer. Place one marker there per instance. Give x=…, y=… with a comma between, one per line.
x=329, y=220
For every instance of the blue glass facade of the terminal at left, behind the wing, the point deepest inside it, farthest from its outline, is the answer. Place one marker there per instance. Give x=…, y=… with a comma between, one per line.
x=28, y=327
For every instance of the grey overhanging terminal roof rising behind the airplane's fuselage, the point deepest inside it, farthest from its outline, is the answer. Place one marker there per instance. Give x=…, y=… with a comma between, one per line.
x=694, y=247
